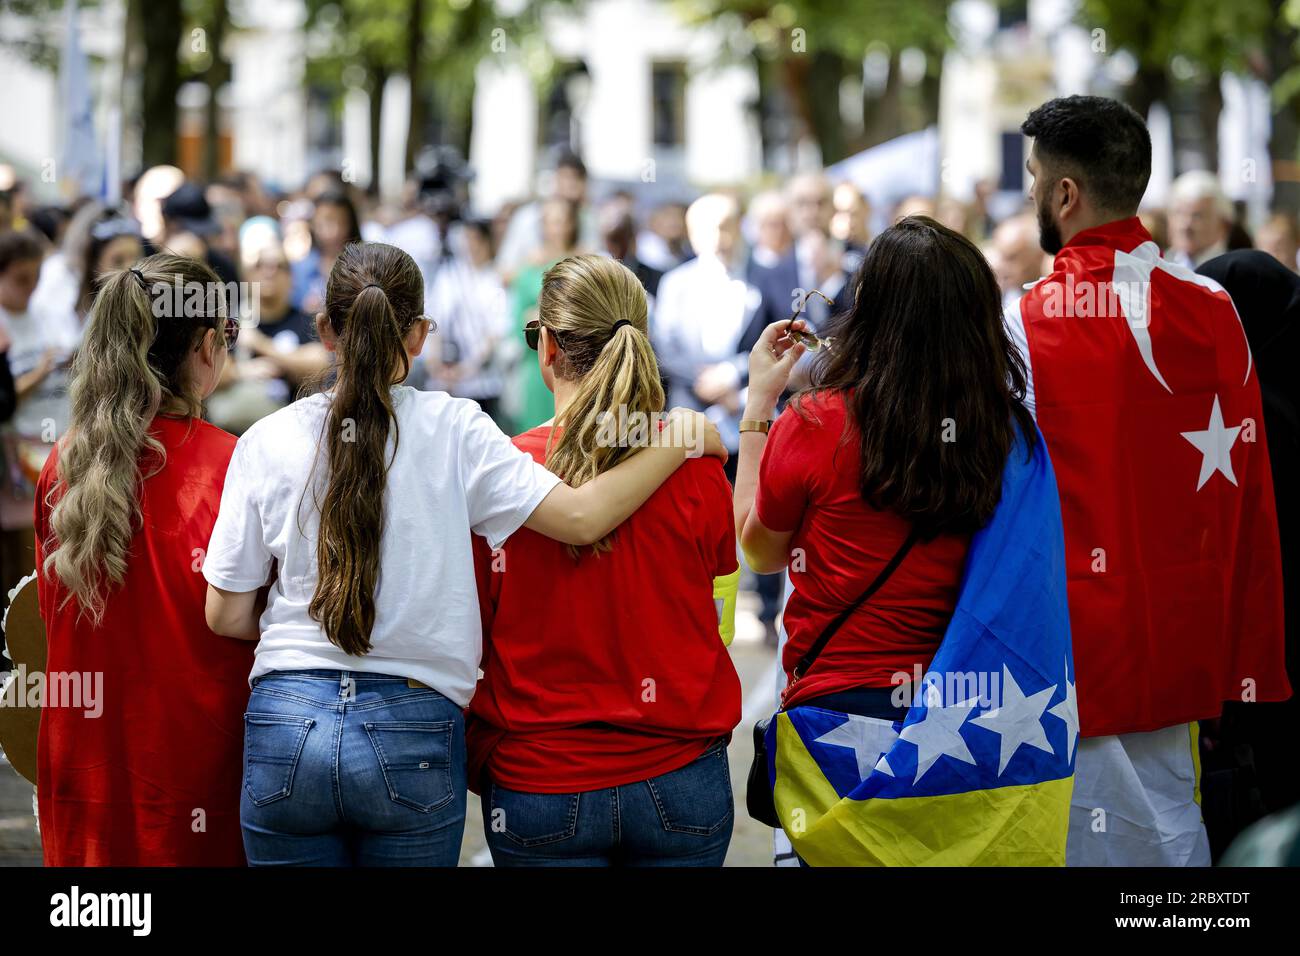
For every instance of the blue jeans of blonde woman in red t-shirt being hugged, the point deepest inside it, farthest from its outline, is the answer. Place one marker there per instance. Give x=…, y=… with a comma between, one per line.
x=681, y=819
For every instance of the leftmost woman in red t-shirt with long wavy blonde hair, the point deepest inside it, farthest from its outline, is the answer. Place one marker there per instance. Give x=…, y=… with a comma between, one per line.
x=138, y=756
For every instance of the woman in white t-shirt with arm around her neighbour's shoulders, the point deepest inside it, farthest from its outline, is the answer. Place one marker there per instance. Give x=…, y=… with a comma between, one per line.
x=363, y=501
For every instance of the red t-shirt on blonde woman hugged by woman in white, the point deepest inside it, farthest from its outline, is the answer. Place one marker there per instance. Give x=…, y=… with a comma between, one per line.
x=606, y=669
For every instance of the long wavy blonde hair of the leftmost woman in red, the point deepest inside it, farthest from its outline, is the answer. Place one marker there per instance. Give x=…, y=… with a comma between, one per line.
x=129, y=366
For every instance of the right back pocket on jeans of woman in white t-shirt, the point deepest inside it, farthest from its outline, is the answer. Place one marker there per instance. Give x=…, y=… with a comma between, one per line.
x=415, y=758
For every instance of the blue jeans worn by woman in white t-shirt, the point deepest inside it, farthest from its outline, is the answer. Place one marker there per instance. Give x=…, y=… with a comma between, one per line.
x=346, y=769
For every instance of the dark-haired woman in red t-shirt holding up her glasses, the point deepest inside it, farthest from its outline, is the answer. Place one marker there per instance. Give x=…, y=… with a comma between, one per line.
x=905, y=432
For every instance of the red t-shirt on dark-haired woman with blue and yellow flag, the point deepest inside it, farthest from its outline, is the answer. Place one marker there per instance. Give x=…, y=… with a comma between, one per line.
x=809, y=485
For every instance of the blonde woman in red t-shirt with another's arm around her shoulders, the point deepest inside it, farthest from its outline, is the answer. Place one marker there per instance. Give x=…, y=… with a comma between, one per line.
x=599, y=733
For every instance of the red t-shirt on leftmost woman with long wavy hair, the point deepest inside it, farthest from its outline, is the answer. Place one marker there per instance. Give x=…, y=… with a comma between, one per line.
x=154, y=780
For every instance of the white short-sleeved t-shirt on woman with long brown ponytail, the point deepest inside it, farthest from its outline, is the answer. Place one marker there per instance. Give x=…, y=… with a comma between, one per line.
x=454, y=473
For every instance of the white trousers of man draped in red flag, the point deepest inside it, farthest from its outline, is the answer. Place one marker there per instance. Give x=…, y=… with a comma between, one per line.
x=1137, y=802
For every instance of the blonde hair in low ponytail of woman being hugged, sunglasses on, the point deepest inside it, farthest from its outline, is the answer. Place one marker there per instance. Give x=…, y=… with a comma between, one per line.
x=583, y=300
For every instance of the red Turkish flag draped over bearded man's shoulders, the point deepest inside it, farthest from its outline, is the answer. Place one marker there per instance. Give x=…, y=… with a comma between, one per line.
x=1147, y=396
